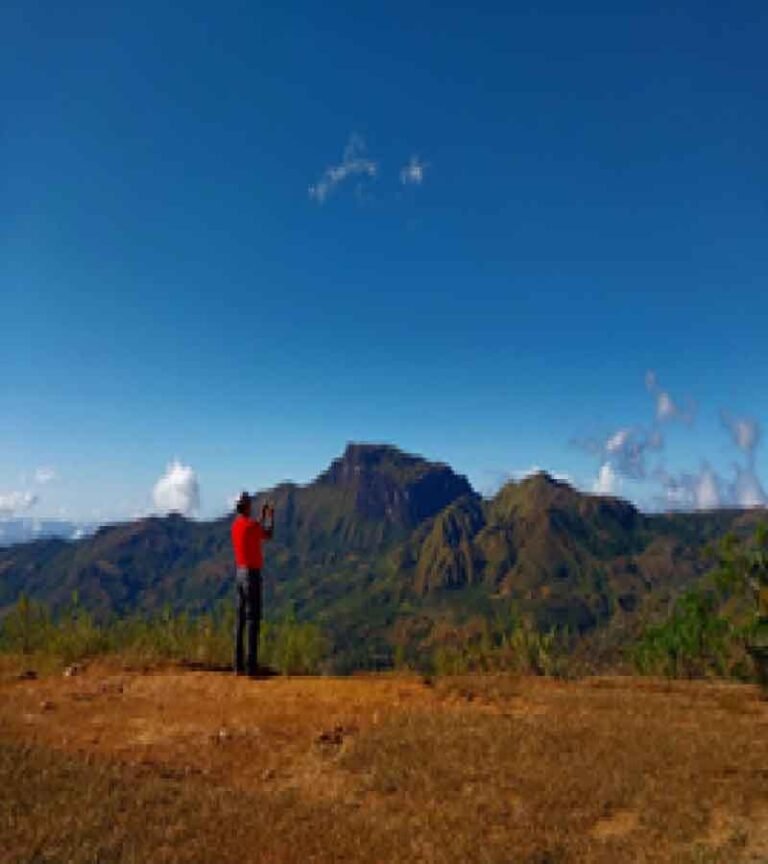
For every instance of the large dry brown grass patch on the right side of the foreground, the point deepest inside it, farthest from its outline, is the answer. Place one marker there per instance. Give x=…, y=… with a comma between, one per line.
x=575, y=772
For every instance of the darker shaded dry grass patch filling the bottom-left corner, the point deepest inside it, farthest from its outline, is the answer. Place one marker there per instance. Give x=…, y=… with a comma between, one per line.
x=56, y=808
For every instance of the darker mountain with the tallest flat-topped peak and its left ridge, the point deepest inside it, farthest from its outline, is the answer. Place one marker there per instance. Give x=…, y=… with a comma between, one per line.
x=368, y=500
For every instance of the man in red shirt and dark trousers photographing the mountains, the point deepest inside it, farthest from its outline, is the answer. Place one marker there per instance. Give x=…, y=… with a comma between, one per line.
x=247, y=537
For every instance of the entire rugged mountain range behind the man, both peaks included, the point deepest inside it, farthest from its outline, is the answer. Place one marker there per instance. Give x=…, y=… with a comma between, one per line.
x=387, y=548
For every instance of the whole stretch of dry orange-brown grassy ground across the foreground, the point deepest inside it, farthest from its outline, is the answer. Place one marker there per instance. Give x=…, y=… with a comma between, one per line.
x=113, y=765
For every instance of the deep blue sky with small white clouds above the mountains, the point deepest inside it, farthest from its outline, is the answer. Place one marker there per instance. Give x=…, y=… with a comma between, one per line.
x=587, y=203
